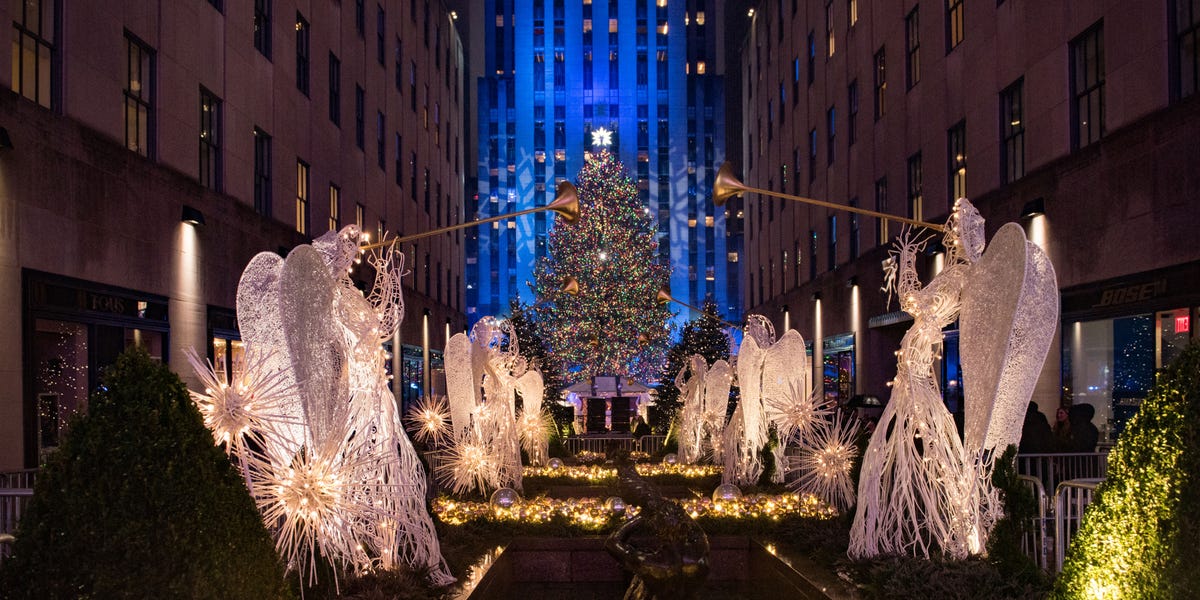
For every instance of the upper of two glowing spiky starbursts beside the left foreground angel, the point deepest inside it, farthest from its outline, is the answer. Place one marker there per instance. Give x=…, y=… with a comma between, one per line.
x=255, y=401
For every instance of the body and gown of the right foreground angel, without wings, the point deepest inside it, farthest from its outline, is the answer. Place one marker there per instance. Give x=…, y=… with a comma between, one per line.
x=919, y=490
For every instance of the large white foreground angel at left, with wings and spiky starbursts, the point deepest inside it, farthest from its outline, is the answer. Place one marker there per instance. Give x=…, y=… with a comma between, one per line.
x=329, y=466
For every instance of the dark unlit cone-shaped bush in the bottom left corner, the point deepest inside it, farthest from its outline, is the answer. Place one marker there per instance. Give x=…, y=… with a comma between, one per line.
x=140, y=503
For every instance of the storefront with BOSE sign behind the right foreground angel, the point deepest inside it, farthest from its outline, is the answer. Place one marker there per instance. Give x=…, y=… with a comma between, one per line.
x=1118, y=334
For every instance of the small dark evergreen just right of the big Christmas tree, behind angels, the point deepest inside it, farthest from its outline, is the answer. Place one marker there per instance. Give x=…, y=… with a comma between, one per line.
x=706, y=337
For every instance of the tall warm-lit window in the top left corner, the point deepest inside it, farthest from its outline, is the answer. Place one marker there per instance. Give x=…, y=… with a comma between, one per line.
x=34, y=62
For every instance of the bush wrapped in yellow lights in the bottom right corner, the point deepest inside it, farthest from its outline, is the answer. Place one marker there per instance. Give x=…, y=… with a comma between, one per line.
x=1139, y=537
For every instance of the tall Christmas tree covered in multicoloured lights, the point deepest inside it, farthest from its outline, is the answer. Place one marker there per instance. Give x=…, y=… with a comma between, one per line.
x=614, y=327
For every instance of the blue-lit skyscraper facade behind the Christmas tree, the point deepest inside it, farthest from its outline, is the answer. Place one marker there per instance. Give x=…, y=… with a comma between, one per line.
x=556, y=70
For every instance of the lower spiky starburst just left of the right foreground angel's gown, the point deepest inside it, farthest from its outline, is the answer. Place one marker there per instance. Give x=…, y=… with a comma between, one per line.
x=827, y=457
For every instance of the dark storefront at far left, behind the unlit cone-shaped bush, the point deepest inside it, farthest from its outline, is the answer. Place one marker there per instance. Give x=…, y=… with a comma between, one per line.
x=73, y=331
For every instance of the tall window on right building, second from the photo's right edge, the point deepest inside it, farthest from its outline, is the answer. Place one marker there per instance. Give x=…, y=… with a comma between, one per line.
x=1088, y=87
